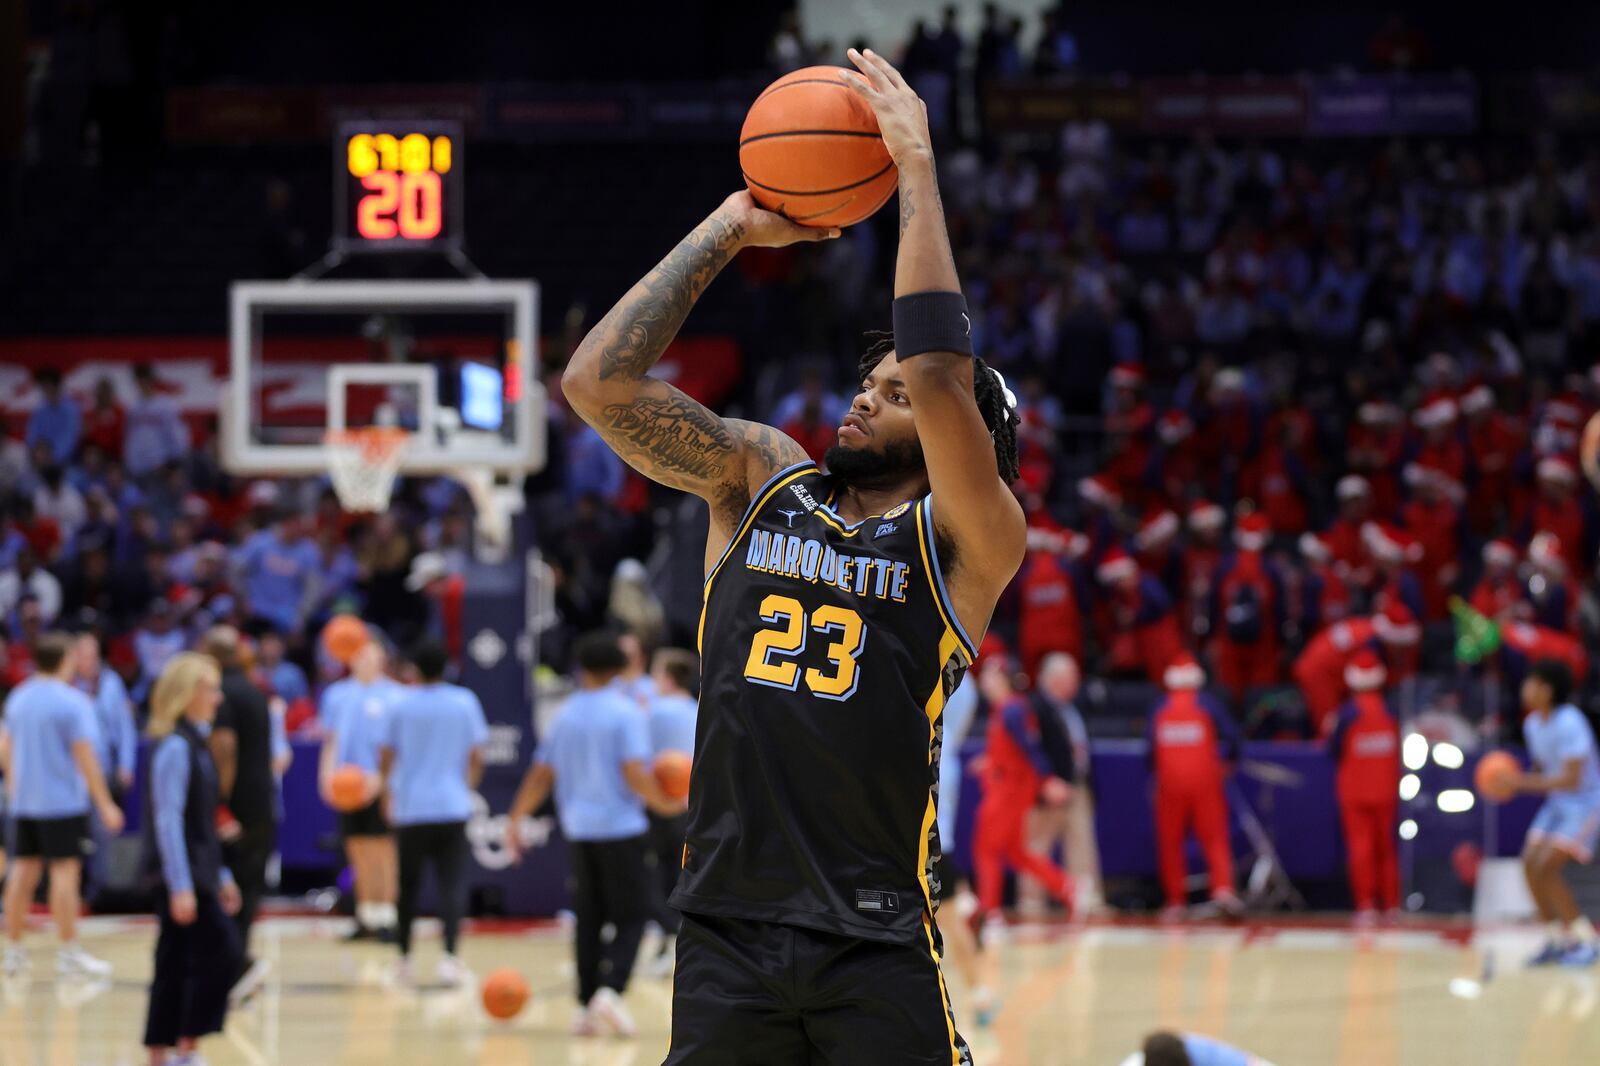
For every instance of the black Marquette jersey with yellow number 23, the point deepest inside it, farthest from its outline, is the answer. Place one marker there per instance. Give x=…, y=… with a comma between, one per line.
x=828, y=652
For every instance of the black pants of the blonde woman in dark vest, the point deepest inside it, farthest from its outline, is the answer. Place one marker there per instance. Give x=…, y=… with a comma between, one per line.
x=194, y=969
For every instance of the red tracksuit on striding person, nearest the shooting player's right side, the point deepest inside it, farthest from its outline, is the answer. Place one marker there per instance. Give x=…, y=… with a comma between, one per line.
x=1017, y=766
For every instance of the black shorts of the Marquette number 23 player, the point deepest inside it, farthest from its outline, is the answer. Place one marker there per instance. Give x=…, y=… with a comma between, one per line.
x=766, y=995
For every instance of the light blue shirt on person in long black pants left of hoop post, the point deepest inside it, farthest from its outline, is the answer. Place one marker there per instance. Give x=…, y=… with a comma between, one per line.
x=433, y=731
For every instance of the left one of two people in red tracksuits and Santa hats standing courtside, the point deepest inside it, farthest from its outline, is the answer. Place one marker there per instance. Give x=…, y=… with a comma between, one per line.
x=1191, y=740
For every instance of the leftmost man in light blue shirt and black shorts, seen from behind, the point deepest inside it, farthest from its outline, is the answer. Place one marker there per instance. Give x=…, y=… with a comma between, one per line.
x=49, y=743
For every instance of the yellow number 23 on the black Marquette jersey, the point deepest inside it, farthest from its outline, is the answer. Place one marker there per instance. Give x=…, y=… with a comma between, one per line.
x=775, y=649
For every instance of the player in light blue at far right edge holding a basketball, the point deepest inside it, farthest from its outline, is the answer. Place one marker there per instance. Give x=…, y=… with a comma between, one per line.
x=1567, y=827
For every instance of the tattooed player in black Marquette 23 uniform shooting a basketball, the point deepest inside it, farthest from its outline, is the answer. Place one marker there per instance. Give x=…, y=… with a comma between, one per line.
x=841, y=612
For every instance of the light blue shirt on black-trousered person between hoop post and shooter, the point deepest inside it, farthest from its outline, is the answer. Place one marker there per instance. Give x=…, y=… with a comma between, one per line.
x=590, y=740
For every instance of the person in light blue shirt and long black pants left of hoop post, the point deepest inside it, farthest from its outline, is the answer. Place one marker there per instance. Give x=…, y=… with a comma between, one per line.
x=431, y=761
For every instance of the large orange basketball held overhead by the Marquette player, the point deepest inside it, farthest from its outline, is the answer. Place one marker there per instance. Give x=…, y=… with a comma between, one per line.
x=810, y=150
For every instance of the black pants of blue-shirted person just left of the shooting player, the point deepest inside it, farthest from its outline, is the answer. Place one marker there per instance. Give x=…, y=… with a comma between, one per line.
x=610, y=884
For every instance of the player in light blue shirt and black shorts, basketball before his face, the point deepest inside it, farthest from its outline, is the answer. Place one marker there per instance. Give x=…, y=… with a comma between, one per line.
x=356, y=716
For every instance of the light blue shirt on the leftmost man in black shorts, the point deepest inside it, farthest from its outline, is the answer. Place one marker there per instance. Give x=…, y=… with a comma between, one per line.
x=46, y=718
